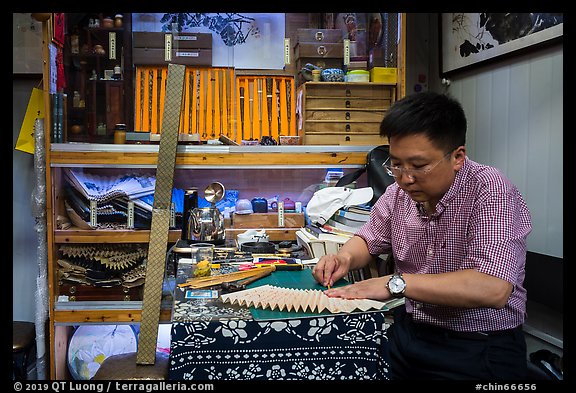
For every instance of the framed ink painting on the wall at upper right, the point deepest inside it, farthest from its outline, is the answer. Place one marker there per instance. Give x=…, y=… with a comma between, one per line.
x=471, y=39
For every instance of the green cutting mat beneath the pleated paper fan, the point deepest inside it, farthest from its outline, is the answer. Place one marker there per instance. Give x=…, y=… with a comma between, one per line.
x=289, y=279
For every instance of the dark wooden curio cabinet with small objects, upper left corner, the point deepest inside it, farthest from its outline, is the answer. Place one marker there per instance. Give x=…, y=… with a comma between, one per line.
x=97, y=96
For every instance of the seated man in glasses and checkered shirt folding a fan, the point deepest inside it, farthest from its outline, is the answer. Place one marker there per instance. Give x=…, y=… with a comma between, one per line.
x=457, y=231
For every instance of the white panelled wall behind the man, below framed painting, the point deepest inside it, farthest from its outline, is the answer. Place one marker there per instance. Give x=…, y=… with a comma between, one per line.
x=515, y=123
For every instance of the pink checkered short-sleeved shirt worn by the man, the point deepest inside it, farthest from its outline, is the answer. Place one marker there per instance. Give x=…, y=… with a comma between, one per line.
x=481, y=223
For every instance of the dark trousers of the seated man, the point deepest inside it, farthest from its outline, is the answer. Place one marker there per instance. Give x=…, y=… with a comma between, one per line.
x=424, y=352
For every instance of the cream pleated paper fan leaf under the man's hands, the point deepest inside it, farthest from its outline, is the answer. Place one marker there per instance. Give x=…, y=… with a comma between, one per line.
x=304, y=300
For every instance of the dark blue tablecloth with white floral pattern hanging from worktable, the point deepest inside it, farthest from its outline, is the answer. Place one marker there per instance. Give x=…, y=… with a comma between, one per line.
x=335, y=347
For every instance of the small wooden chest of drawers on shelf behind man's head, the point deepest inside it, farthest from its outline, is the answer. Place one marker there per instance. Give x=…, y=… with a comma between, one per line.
x=338, y=113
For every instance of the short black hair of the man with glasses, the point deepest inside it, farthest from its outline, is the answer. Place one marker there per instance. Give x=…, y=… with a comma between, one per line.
x=438, y=116
